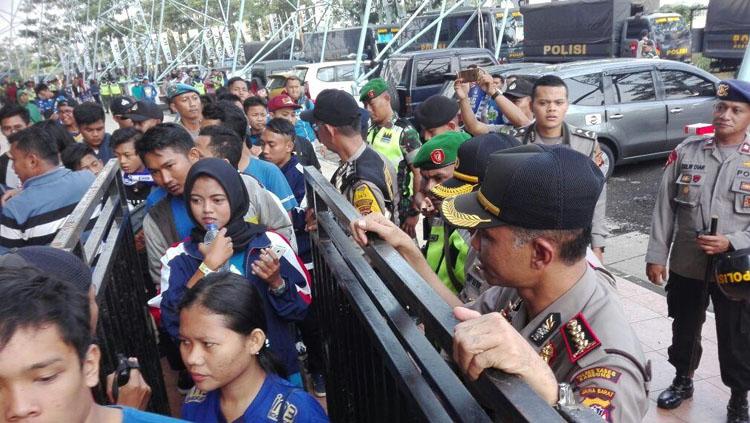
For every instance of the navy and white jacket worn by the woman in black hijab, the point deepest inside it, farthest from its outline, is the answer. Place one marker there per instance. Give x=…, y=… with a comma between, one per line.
x=291, y=306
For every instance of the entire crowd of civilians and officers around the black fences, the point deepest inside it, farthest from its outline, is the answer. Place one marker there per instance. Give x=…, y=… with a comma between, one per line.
x=512, y=204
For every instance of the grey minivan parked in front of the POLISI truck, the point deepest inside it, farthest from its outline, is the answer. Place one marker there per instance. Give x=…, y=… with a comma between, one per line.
x=638, y=107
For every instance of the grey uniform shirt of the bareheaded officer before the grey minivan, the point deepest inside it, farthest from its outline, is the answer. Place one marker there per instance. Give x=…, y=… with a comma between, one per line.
x=584, y=142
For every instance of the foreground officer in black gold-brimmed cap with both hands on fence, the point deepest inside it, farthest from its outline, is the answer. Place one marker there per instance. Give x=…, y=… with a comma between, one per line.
x=549, y=317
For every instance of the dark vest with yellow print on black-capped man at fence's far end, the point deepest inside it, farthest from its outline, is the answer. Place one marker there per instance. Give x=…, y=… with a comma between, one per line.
x=368, y=181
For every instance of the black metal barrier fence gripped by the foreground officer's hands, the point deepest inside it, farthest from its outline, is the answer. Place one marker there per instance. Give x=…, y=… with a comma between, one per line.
x=381, y=366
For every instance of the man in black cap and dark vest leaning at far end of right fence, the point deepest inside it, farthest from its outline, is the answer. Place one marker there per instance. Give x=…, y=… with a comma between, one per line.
x=365, y=178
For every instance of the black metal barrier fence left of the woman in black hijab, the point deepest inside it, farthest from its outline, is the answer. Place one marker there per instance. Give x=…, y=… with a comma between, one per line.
x=125, y=325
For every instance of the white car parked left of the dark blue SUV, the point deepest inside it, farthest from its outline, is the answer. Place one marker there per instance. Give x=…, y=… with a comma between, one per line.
x=320, y=76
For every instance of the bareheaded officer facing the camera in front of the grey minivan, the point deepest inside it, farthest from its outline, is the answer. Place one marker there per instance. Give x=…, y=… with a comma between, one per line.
x=549, y=102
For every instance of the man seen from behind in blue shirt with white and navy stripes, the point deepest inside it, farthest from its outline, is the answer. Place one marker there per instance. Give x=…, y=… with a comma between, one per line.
x=50, y=192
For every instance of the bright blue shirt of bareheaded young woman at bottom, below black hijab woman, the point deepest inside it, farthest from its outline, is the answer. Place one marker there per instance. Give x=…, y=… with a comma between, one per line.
x=277, y=401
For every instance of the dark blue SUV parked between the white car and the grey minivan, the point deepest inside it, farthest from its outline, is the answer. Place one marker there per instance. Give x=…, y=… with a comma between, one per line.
x=417, y=75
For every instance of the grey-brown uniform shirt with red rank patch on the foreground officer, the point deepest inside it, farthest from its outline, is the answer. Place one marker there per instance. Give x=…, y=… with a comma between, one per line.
x=587, y=341
